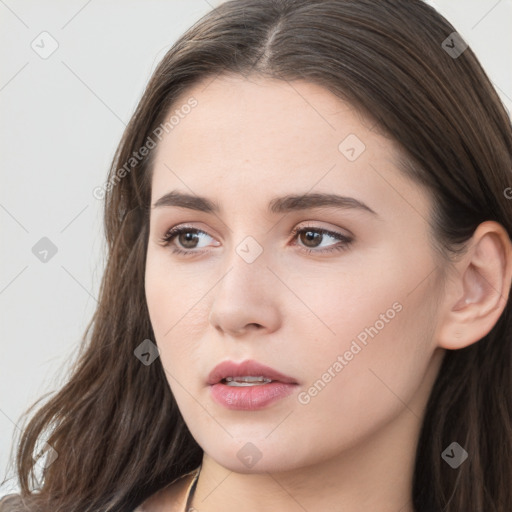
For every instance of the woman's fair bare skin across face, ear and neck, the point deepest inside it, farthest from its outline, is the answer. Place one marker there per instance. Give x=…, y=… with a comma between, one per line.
x=352, y=446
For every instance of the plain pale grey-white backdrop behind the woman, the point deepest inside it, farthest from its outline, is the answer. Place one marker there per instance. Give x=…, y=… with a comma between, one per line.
x=62, y=115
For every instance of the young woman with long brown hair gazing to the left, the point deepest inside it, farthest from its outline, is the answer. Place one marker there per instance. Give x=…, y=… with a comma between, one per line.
x=306, y=304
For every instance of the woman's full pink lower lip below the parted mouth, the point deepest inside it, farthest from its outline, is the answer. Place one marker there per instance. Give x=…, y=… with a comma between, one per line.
x=250, y=398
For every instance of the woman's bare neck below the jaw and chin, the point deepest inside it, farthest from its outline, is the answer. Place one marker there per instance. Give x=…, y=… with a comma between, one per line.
x=374, y=475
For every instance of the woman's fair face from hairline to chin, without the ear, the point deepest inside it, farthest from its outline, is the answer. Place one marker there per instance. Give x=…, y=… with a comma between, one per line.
x=339, y=296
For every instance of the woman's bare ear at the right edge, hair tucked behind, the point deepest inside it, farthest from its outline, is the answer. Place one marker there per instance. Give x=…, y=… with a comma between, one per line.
x=478, y=289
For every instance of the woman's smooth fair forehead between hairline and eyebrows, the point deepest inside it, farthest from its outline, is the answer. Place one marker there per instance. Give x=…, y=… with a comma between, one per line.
x=260, y=136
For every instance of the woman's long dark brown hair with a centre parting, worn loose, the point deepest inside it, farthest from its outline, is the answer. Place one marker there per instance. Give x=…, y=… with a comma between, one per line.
x=115, y=425
